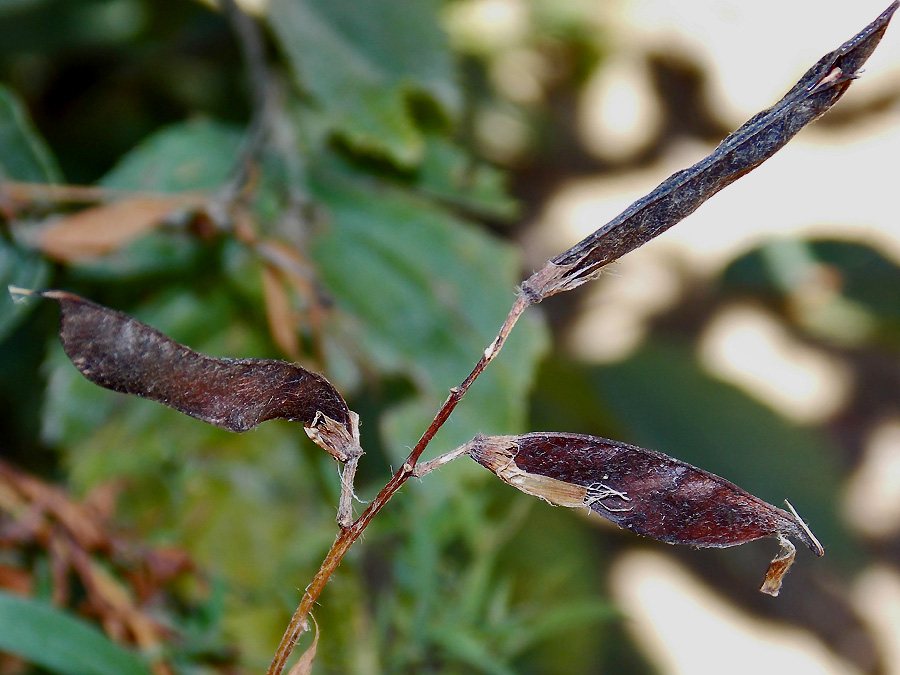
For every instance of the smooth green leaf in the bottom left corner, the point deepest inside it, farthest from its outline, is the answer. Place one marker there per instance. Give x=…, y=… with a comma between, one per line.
x=53, y=639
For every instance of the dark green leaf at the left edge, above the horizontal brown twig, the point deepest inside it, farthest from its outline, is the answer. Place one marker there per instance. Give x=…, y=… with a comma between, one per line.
x=23, y=154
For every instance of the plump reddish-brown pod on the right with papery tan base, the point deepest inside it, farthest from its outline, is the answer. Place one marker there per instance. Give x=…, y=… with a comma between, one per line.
x=644, y=491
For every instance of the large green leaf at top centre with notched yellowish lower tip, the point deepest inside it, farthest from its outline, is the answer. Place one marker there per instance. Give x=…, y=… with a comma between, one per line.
x=363, y=61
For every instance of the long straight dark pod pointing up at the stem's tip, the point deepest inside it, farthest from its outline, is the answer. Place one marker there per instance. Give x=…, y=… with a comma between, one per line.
x=742, y=151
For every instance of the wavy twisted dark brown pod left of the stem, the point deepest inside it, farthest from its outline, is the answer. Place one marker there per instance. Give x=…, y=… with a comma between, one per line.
x=120, y=353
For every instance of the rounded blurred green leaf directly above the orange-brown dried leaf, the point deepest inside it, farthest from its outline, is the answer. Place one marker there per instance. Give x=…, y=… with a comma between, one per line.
x=191, y=155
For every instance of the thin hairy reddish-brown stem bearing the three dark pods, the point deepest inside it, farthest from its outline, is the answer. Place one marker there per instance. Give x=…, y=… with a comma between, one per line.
x=350, y=534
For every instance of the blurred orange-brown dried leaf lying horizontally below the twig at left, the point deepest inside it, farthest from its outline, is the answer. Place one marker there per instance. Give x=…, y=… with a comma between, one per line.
x=99, y=230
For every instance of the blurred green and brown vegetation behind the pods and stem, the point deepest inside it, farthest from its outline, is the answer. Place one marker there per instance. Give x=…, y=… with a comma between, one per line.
x=349, y=196
